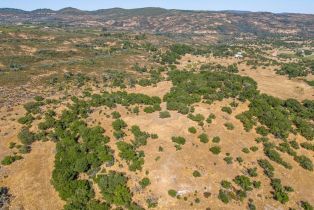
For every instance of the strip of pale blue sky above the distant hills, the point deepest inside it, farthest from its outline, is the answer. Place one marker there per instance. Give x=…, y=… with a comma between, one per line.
x=297, y=6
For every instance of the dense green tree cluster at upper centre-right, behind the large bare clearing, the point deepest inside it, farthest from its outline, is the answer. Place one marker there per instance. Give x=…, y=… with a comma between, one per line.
x=189, y=88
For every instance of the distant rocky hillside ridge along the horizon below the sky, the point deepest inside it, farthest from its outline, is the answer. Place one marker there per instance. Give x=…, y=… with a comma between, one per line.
x=158, y=20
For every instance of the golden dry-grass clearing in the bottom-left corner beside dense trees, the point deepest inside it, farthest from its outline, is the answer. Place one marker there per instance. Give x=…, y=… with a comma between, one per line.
x=29, y=180
